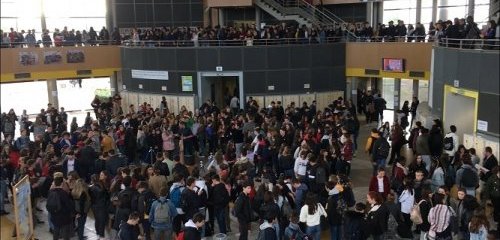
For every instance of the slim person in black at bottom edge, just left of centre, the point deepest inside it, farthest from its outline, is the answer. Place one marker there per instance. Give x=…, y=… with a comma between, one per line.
x=243, y=210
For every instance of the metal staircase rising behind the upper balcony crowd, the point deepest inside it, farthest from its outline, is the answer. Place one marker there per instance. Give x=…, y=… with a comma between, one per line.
x=300, y=11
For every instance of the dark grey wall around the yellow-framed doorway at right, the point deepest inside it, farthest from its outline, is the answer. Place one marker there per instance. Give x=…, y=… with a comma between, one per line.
x=476, y=70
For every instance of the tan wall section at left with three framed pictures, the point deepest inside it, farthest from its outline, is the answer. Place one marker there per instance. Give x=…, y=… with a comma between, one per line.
x=103, y=61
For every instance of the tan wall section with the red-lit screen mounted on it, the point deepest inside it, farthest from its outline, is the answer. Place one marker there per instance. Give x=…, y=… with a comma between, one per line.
x=368, y=55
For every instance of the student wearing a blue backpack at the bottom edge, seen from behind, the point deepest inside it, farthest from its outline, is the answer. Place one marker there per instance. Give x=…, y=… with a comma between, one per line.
x=161, y=216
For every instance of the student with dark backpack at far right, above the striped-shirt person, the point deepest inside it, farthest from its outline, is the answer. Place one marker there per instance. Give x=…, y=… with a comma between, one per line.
x=467, y=176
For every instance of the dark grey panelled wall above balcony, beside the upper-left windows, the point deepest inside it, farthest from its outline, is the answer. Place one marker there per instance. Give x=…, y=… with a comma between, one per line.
x=149, y=13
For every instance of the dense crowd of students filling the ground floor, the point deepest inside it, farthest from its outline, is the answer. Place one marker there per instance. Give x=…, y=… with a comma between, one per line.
x=148, y=173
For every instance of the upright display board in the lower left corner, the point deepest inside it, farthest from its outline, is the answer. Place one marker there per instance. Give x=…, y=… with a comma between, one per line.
x=22, y=209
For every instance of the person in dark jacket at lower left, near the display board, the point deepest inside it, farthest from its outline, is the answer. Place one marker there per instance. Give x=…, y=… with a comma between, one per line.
x=61, y=207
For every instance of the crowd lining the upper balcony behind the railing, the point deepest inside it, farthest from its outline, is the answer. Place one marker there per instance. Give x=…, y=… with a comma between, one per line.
x=249, y=35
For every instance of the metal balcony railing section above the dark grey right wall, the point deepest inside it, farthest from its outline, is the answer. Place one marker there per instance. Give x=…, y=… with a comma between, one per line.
x=484, y=44
